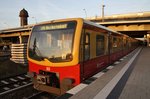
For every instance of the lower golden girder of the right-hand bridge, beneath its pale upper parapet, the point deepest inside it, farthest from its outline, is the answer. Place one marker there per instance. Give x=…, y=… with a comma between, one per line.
x=136, y=29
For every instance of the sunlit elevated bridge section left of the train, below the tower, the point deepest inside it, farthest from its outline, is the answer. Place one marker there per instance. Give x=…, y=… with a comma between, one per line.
x=15, y=35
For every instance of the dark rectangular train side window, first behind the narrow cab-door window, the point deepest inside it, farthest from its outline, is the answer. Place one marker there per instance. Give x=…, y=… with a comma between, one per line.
x=100, y=45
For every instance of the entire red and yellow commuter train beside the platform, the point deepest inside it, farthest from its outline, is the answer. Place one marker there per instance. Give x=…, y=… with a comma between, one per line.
x=65, y=52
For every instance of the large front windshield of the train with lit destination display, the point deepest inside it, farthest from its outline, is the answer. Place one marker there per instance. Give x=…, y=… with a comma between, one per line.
x=52, y=41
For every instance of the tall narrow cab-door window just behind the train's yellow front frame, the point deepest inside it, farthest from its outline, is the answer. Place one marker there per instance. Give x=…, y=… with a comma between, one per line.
x=86, y=46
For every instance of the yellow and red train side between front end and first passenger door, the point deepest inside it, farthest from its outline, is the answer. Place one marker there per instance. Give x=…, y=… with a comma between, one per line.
x=94, y=50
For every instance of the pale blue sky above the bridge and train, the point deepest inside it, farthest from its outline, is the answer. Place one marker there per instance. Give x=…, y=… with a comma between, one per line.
x=45, y=10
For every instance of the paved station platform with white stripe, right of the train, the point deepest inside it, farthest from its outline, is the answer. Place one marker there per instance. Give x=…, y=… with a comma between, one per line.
x=129, y=78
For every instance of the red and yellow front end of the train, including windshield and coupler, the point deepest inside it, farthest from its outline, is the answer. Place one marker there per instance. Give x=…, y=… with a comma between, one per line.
x=53, y=56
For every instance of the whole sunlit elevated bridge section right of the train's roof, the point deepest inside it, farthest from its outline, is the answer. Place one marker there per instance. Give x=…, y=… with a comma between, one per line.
x=134, y=24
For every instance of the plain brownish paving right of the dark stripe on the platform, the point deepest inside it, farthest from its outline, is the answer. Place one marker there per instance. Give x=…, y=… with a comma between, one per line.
x=138, y=84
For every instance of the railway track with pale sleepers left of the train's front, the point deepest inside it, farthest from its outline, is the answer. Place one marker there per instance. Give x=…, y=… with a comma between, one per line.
x=14, y=83
